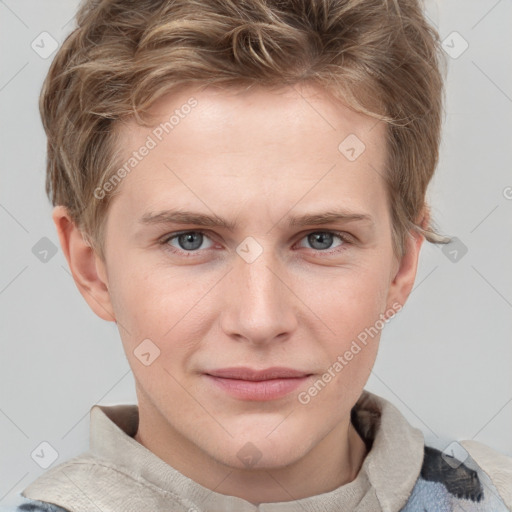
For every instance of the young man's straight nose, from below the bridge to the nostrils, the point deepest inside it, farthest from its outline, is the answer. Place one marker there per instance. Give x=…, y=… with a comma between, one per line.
x=259, y=305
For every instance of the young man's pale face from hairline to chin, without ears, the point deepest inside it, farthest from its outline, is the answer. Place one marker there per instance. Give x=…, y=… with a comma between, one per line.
x=251, y=235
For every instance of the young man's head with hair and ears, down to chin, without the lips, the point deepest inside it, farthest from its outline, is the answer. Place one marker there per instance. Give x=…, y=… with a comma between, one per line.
x=264, y=118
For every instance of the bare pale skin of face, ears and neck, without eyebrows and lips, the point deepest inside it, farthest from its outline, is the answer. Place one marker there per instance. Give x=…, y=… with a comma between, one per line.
x=255, y=158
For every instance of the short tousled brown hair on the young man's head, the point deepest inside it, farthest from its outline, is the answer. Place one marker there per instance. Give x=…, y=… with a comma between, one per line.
x=381, y=57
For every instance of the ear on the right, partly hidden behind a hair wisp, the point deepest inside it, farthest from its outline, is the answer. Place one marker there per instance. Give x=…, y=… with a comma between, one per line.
x=405, y=269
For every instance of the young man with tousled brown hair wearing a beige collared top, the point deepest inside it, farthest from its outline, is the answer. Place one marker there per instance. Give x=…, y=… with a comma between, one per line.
x=240, y=186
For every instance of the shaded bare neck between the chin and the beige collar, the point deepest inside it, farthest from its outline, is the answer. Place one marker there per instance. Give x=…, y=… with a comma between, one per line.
x=333, y=462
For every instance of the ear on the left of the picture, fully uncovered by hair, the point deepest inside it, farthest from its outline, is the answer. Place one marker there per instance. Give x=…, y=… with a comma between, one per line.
x=87, y=268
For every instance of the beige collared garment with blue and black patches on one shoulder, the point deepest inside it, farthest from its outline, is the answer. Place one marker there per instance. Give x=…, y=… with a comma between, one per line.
x=402, y=471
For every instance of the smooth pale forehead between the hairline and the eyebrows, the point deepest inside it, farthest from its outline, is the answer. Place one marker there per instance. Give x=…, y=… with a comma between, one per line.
x=255, y=145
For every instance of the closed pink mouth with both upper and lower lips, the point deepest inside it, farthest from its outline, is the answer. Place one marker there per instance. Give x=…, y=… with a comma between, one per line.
x=257, y=385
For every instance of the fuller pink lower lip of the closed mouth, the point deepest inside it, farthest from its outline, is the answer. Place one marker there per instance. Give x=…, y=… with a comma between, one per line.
x=258, y=390
